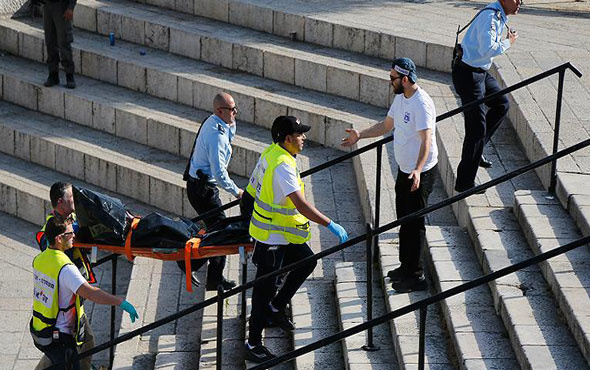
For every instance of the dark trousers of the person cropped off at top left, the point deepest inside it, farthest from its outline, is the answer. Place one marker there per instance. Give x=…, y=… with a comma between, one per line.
x=58, y=36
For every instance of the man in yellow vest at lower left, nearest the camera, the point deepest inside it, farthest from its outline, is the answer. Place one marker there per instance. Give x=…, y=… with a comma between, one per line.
x=58, y=324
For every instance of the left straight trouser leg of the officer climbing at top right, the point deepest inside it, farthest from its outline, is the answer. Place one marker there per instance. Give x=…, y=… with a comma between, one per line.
x=470, y=86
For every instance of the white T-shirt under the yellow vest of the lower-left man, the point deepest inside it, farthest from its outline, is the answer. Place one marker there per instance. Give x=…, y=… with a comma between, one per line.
x=70, y=279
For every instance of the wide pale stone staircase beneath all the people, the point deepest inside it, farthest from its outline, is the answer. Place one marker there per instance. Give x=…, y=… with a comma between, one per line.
x=129, y=126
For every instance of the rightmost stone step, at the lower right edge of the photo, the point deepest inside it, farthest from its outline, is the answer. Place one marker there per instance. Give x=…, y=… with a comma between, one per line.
x=547, y=226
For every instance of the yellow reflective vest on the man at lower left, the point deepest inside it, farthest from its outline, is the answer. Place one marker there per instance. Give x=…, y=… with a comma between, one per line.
x=46, y=269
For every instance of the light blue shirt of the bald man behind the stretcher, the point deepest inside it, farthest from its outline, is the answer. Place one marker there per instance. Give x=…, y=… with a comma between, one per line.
x=212, y=153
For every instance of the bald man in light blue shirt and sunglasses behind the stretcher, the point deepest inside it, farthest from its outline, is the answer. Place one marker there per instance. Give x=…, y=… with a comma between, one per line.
x=206, y=170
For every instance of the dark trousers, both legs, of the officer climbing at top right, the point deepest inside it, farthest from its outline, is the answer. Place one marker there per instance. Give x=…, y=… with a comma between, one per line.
x=480, y=122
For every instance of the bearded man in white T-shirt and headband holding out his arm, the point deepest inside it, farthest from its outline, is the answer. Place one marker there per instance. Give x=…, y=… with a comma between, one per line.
x=413, y=116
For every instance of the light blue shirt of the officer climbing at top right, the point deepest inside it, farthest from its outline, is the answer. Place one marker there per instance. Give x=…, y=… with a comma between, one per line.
x=483, y=39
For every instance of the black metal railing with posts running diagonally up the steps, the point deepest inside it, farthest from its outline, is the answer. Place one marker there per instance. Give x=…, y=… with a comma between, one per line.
x=373, y=232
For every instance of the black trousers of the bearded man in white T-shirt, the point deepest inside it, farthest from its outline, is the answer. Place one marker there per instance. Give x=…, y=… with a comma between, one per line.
x=411, y=234
